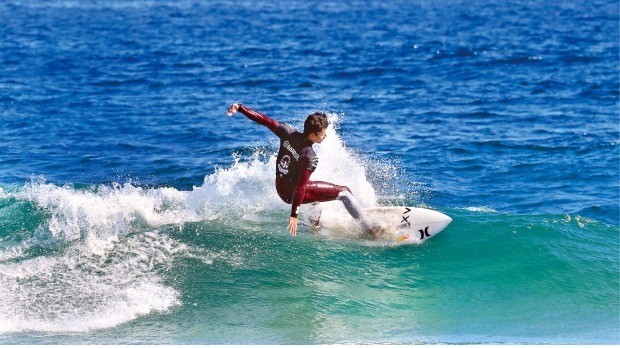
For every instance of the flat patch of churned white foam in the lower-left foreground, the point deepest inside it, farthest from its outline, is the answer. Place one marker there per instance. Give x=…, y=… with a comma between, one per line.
x=78, y=291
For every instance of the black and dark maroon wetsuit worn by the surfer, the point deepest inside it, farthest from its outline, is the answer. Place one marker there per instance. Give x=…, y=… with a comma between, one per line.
x=295, y=163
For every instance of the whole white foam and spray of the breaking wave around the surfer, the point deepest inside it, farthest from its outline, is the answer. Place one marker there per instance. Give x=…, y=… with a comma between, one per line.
x=84, y=258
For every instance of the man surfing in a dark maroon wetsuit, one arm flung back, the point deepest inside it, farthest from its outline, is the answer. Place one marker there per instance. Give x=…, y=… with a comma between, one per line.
x=295, y=163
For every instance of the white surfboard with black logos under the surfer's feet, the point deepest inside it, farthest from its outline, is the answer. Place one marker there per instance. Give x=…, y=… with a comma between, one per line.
x=401, y=225
